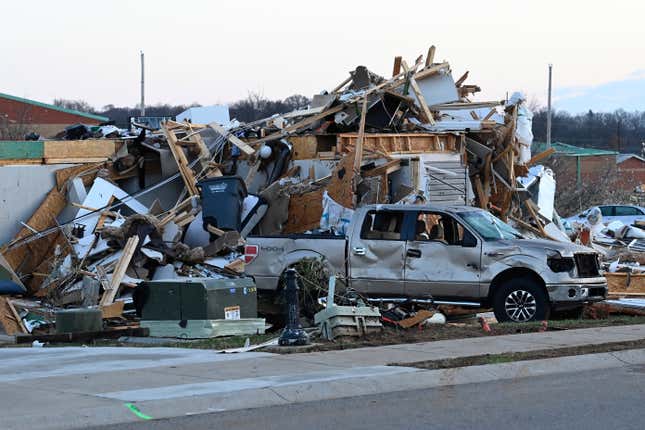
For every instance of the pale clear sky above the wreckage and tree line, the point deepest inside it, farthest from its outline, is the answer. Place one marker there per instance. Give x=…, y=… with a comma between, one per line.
x=218, y=51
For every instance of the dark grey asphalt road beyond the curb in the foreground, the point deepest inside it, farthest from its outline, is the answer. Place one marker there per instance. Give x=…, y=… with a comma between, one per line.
x=611, y=398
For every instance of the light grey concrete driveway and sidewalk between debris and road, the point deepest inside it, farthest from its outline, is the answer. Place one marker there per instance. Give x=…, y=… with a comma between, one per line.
x=89, y=386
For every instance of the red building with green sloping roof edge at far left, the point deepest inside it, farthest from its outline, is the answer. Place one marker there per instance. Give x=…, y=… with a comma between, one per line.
x=30, y=116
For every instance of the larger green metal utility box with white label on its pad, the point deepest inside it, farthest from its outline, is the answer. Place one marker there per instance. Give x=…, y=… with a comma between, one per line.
x=200, y=307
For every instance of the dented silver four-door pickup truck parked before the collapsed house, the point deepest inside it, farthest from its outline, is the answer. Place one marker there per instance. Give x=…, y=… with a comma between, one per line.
x=457, y=254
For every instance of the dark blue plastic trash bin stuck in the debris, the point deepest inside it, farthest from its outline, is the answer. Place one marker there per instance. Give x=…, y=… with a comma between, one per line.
x=222, y=199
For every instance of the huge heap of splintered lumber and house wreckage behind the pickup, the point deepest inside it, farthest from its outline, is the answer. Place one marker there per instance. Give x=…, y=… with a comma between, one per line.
x=178, y=202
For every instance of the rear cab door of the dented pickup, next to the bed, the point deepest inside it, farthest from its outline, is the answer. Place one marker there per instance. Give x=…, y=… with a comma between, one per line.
x=377, y=253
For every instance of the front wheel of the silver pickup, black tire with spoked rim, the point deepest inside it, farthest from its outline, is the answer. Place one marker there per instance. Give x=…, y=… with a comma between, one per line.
x=520, y=300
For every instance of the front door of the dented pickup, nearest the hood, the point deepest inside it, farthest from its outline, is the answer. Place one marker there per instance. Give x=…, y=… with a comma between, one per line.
x=443, y=258
